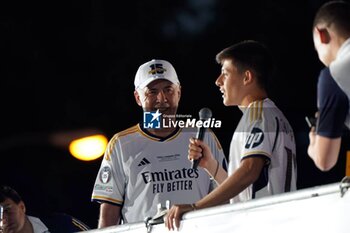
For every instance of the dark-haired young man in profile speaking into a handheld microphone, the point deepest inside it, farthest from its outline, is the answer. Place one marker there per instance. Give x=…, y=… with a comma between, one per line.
x=262, y=153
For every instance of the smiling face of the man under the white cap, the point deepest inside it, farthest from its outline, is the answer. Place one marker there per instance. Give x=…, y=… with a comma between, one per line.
x=160, y=94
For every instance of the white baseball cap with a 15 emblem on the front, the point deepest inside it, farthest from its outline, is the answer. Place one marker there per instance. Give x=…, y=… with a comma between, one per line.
x=154, y=70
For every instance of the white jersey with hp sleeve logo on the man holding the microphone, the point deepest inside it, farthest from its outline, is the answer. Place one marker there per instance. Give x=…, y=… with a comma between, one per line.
x=264, y=131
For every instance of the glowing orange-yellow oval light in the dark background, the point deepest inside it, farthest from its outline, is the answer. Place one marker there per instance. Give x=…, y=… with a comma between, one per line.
x=88, y=148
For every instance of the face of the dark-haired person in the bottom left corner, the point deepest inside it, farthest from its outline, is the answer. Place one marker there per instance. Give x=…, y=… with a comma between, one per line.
x=14, y=216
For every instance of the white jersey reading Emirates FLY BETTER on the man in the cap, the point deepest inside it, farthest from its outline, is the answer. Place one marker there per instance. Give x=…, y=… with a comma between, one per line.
x=139, y=171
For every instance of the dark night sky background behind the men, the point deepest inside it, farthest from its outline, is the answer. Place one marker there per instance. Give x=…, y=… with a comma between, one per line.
x=70, y=65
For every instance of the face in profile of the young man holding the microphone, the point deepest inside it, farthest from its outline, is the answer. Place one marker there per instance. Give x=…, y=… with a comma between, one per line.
x=230, y=83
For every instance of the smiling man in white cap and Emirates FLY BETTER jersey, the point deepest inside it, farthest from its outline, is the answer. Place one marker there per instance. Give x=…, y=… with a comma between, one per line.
x=145, y=166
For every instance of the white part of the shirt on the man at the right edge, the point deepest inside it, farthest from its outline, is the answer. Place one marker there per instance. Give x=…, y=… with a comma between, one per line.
x=340, y=71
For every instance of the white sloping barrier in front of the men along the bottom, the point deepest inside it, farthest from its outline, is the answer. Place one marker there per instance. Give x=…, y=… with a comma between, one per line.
x=321, y=209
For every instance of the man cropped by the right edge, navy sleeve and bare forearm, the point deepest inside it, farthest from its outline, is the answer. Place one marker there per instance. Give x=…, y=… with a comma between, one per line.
x=331, y=36
